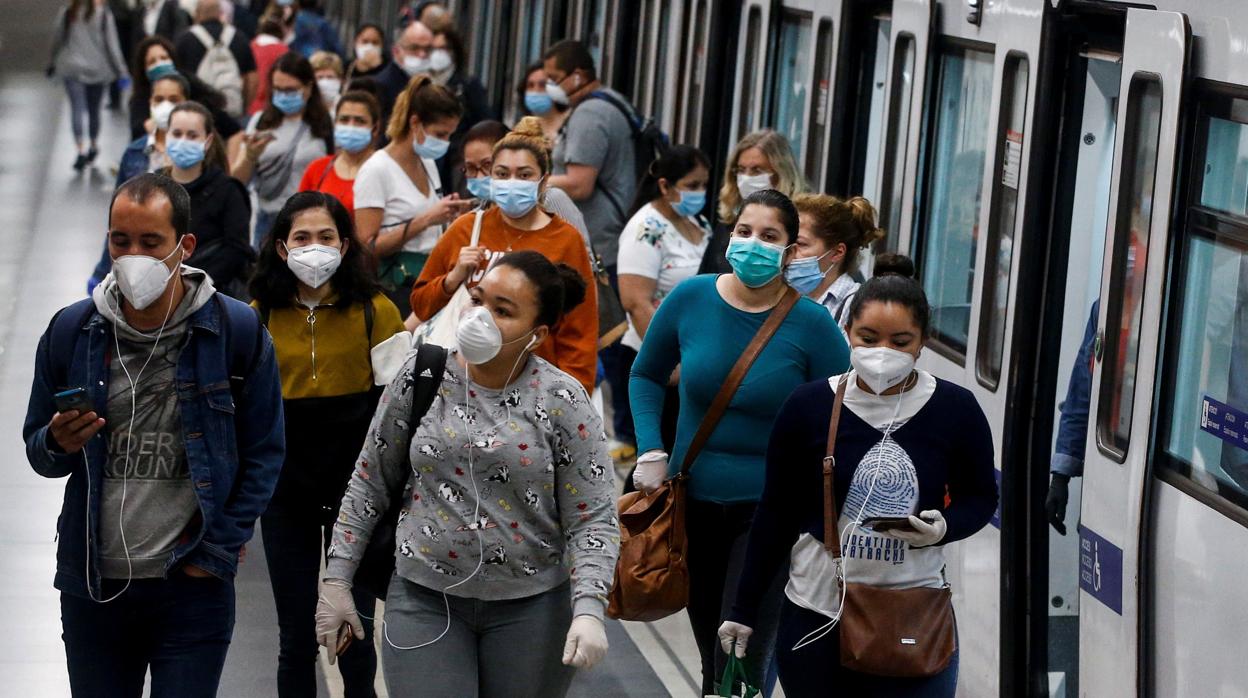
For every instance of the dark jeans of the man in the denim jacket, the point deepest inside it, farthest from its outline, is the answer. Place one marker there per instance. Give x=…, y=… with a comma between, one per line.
x=180, y=629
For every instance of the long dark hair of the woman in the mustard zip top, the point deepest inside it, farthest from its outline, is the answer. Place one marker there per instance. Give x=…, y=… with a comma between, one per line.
x=274, y=284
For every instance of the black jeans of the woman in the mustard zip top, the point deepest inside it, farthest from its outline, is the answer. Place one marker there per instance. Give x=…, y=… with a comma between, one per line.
x=293, y=533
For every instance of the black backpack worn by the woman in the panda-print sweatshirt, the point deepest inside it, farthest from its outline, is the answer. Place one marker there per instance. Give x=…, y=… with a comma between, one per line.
x=378, y=565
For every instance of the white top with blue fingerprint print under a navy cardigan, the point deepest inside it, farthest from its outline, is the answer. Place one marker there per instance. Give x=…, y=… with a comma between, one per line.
x=885, y=484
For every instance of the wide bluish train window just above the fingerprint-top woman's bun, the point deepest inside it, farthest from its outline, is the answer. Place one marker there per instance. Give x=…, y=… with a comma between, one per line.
x=954, y=150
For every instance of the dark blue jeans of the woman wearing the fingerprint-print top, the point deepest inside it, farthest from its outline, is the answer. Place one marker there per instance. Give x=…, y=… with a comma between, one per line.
x=817, y=671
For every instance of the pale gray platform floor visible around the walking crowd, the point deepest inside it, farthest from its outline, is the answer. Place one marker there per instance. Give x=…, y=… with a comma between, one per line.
x=52, y=225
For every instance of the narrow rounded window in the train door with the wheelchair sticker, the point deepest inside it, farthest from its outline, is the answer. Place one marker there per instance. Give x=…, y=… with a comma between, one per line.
x=1130, y=259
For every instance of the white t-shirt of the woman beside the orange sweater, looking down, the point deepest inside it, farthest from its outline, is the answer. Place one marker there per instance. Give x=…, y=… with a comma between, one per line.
x=383, y=184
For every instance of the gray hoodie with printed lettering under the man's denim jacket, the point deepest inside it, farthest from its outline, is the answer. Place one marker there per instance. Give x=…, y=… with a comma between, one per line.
x=148, y=504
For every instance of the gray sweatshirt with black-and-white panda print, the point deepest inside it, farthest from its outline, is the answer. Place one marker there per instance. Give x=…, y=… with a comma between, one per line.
x=507, y=493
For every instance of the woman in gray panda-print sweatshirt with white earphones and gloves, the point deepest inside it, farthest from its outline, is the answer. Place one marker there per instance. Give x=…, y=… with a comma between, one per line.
x=507, y=536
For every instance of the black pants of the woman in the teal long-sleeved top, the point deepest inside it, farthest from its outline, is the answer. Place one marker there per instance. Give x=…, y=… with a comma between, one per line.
x=718, y=535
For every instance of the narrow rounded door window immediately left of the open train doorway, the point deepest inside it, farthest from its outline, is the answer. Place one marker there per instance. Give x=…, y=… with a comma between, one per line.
x=1000, y=254
